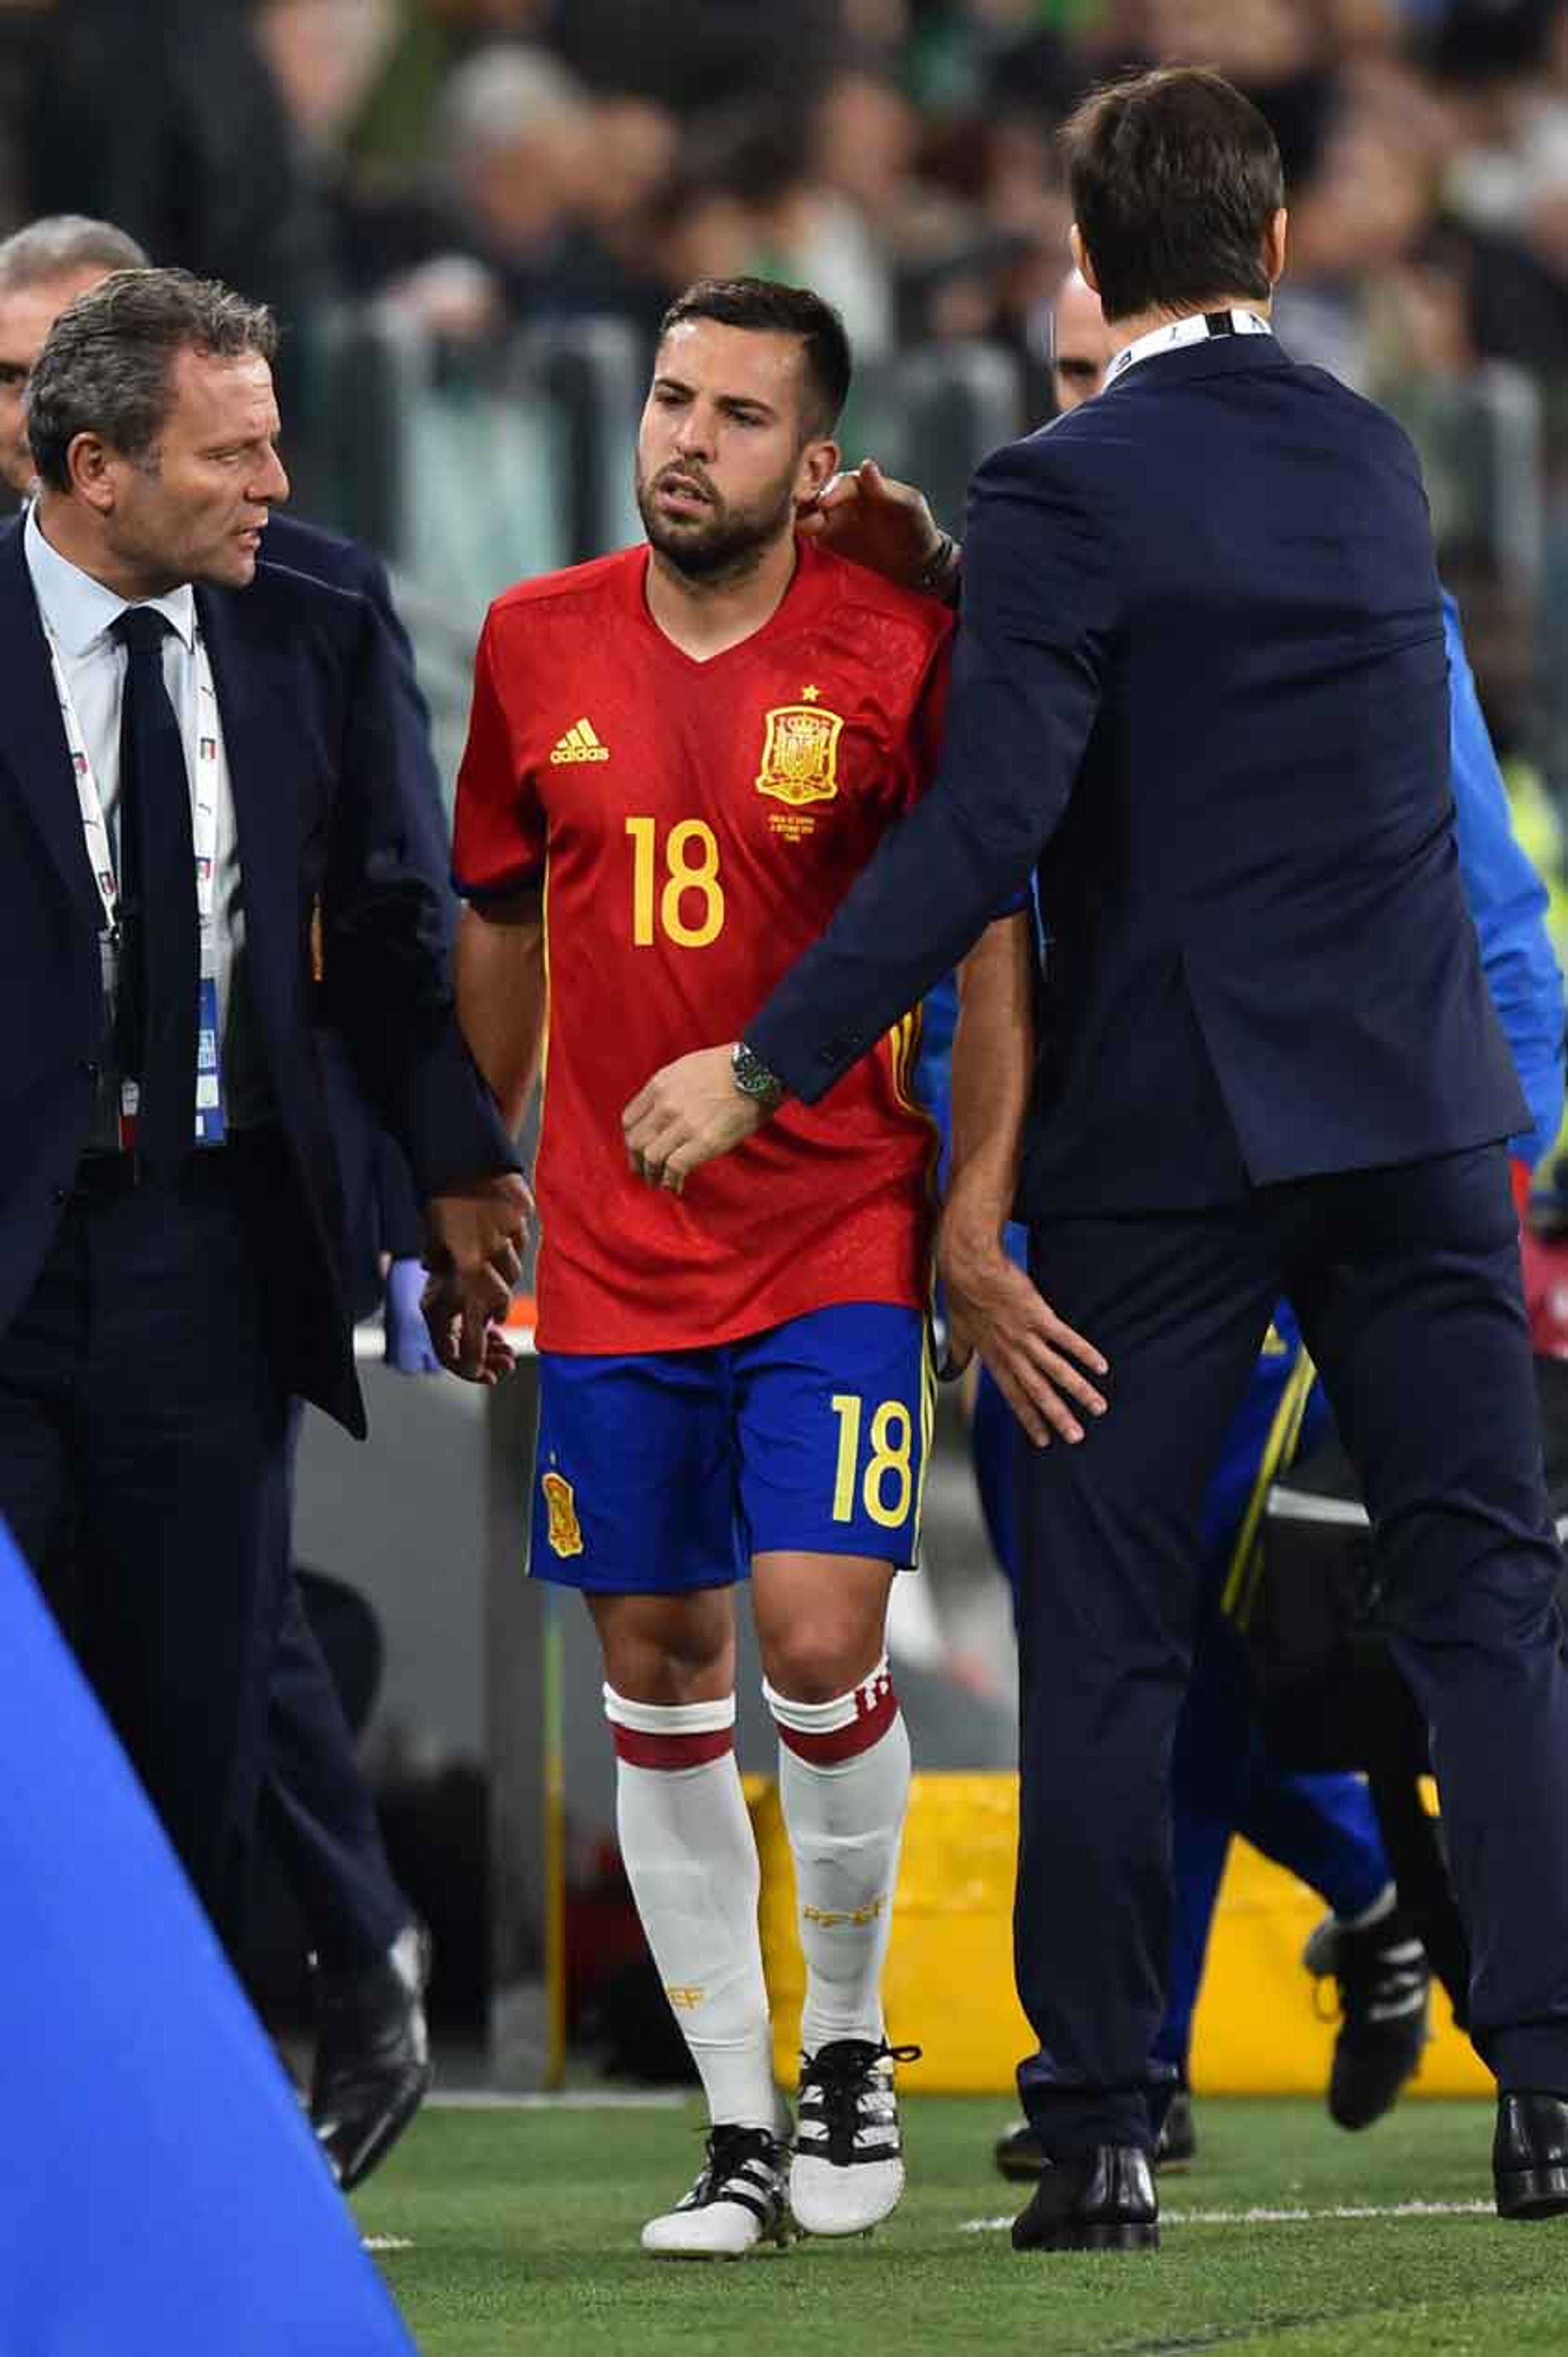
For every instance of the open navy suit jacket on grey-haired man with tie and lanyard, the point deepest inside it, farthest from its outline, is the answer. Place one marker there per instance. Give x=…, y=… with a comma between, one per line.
x=329, y=819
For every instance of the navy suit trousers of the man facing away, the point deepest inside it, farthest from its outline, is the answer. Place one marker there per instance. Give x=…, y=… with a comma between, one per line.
x=1406, y=1283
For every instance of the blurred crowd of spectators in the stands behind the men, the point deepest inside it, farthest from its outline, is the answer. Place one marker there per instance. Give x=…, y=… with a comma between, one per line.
x=466, y=169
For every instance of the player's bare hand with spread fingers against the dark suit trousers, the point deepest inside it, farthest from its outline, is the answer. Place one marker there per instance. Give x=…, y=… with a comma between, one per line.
x=1036, y=1359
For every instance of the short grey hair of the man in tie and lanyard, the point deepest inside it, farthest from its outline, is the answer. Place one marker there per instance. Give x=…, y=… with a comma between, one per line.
x=107, y=364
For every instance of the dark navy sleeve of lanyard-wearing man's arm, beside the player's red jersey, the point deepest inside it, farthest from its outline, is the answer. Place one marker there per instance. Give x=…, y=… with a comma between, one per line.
x=388, y=970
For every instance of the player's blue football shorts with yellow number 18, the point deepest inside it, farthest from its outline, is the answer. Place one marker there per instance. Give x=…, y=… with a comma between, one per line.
x=668, y=1472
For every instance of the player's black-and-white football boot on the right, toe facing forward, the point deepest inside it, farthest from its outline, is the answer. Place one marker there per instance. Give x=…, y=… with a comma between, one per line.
x=848, y=2170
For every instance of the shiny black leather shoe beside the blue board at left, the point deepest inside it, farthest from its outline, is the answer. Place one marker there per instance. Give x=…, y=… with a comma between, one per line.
x=371, y=2056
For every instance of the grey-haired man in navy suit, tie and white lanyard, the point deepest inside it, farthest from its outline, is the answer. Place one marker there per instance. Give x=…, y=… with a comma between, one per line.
x=173, y=1274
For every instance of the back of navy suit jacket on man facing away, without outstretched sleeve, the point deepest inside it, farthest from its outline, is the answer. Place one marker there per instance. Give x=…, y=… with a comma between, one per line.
x=1258, y=873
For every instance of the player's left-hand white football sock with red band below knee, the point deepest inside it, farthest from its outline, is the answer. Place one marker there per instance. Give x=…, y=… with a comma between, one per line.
x=692, y=1861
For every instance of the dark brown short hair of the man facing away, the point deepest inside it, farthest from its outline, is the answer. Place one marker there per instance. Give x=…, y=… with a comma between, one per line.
x=1175, y=178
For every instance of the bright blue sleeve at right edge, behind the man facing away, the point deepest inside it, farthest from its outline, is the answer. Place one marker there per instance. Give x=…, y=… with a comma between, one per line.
x=1508, y=904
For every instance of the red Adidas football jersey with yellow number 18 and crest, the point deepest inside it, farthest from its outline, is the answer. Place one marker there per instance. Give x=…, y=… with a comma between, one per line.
x=697, y=824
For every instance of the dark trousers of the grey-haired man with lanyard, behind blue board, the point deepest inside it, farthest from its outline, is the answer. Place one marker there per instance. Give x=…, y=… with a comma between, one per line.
x=143, y=1448
